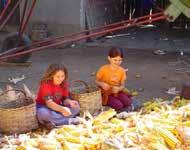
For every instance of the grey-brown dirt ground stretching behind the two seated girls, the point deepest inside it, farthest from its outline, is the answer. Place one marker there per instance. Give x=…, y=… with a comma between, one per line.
x=149, y=73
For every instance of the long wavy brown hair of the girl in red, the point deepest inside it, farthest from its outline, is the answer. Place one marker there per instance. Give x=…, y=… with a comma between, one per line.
x=52, y=70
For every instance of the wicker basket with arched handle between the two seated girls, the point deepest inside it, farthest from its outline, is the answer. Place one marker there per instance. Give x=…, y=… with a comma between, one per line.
x=89, y=99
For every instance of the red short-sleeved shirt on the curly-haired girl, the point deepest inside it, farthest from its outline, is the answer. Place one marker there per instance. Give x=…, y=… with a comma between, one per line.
x=50, y=91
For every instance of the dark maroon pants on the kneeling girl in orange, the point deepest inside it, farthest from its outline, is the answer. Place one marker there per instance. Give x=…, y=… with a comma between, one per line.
x=119, y=101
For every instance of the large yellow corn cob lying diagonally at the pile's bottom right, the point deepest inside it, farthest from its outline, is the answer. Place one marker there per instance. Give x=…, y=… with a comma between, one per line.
x=169, y=138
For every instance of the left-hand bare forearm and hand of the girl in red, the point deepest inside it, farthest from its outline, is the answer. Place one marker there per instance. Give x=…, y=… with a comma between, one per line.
x=63, y=110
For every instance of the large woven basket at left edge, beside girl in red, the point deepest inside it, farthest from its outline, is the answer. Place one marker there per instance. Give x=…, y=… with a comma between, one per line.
x=17, y=116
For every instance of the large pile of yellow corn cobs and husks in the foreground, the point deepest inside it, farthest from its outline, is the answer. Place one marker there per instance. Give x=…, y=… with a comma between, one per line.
x=159, y=125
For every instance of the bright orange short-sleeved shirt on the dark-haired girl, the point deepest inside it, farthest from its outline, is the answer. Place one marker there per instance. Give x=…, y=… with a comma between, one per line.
x=113, y=78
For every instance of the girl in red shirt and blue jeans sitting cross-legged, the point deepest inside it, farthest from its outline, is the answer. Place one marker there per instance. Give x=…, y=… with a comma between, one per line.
x=54, y=107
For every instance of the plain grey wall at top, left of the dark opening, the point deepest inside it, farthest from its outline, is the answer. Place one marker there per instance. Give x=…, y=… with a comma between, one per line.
x=61, y=16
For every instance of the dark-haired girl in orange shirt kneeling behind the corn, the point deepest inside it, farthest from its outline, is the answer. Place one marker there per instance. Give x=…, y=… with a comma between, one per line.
x=111, y=79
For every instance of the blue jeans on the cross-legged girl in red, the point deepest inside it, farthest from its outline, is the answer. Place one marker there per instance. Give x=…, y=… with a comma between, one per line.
x=47, y=115
